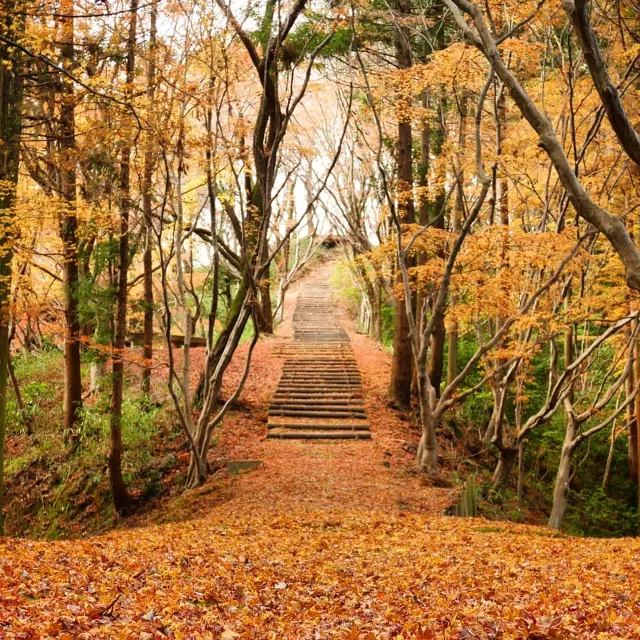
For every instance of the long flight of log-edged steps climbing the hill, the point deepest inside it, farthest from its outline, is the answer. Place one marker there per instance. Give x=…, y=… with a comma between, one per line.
x=319, y=395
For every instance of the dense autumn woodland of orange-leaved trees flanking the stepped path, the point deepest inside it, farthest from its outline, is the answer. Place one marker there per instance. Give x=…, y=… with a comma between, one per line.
x=471, y=170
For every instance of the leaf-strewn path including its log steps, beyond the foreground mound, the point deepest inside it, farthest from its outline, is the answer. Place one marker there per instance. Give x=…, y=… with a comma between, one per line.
x=334, y=474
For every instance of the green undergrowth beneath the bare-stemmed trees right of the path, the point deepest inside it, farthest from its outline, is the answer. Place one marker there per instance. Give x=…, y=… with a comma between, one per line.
x=593, y=510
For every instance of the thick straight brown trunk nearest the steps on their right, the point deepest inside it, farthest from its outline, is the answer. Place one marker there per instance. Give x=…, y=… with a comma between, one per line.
x=401, y=366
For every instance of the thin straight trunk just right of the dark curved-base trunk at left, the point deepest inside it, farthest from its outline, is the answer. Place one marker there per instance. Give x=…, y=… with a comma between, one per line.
x=147, y=184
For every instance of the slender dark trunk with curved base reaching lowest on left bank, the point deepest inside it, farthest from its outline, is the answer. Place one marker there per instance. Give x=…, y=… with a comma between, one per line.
x=121, y=499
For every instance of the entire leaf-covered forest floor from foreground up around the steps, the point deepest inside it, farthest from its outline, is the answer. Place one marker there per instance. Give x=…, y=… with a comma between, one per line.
x=322, y=540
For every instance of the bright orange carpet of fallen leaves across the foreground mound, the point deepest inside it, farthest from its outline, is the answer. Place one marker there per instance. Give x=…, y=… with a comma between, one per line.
x=315, y=574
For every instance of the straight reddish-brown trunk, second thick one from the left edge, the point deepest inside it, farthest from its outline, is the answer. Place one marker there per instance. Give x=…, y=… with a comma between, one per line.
x=69, y=235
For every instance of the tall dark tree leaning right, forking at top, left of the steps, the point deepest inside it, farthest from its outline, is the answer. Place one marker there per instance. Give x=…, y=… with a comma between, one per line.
x=272, y=121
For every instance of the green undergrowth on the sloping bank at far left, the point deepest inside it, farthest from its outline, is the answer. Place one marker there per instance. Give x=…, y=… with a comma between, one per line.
x=52, y=491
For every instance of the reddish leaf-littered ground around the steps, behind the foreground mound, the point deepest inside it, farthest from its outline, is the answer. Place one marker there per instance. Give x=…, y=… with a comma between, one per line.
x=317, y=474
